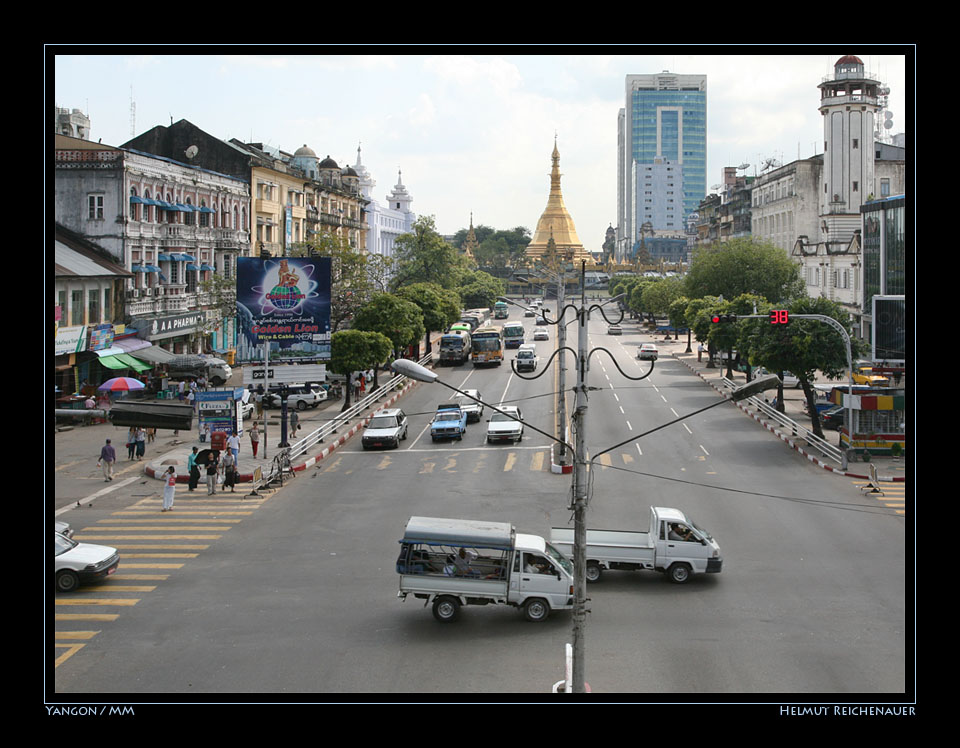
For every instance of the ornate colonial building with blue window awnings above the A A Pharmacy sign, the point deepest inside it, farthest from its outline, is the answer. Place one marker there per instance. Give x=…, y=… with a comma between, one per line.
x=172, y=224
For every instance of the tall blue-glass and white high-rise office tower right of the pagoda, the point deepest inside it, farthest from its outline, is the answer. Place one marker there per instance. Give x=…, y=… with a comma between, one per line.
x=662, y=159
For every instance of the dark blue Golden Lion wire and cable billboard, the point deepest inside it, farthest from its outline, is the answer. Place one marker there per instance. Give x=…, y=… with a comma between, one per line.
x=283, y=302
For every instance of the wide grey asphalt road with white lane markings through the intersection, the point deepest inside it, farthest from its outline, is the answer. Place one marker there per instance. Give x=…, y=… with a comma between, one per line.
x=296, y=595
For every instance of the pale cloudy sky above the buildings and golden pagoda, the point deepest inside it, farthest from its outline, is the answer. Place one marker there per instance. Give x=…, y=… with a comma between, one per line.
x=470, y=132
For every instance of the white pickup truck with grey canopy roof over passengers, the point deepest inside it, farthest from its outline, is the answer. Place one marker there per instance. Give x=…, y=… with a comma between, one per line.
x=450, y=563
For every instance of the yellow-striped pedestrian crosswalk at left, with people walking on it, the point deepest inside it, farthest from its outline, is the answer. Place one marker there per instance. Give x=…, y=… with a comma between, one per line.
x=152, y=546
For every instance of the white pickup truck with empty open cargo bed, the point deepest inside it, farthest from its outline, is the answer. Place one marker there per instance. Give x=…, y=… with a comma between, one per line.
x=674, y=545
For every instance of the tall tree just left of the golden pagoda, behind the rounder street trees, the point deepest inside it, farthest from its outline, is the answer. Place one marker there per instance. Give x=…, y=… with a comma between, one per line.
x=422, y=256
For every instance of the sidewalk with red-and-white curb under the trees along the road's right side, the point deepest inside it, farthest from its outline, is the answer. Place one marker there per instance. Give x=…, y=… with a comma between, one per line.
x=888, y=468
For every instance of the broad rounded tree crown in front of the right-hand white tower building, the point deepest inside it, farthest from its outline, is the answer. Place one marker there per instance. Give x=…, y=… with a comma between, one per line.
x=744, y=265
